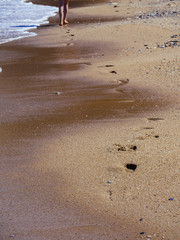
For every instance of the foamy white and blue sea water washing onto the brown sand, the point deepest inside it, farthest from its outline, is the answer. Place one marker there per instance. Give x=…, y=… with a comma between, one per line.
x=19, y=16
